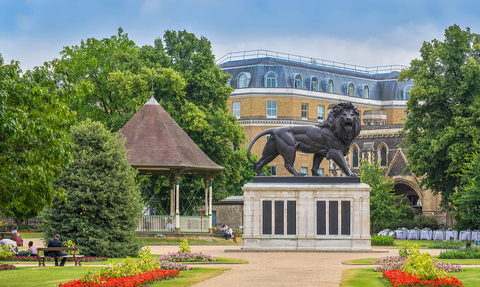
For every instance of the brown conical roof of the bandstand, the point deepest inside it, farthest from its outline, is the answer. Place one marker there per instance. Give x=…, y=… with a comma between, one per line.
x=158, y=145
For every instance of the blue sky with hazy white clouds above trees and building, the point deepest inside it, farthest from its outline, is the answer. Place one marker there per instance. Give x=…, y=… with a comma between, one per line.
x=366, y=33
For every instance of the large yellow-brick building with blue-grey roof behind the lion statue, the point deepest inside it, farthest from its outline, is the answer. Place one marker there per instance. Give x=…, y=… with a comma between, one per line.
x=273, y=89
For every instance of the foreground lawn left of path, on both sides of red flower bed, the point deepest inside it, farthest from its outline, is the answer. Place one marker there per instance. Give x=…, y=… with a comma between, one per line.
x=52, y=276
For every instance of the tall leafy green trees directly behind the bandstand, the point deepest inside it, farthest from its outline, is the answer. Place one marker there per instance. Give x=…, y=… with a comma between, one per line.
x=181, y=70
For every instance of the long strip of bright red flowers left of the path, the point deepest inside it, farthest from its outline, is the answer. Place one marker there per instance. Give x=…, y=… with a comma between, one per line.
x=139, y=279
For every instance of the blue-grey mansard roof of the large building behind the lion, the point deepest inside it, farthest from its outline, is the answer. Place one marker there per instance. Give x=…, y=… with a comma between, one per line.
x=382, y=86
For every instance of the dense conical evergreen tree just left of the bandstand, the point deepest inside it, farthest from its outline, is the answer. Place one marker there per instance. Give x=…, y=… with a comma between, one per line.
x=102, y=208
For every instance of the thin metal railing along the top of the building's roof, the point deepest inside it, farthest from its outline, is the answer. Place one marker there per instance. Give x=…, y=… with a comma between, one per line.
x=258, y=54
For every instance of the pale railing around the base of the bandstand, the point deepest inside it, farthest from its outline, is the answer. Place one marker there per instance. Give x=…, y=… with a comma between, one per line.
x=166, y=223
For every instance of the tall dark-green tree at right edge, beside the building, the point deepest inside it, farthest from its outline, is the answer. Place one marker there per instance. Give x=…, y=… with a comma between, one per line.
x=443, y=112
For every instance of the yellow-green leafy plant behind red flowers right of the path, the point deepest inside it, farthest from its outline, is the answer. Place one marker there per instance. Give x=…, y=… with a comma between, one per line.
x=422, y=265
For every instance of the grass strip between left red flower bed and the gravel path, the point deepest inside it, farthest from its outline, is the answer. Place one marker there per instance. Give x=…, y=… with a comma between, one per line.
x=192, y=277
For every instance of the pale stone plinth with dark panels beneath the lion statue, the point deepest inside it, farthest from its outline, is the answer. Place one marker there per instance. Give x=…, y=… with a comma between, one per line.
x=306, y=214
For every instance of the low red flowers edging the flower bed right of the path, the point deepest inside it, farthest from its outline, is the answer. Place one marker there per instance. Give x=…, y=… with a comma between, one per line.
x=399, y=278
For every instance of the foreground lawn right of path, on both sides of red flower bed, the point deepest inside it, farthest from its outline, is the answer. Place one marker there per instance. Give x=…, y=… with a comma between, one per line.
x=359, y=277
